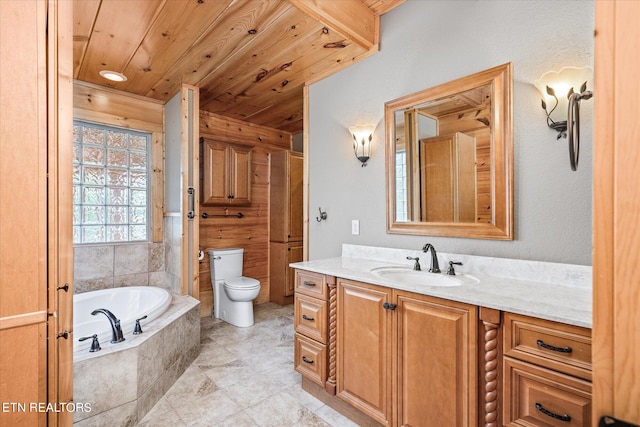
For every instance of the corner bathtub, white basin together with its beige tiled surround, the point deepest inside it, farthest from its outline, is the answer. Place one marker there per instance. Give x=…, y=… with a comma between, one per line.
x=123, y=381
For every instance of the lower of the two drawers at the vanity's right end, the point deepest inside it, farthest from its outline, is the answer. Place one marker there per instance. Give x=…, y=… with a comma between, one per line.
x=536, y=396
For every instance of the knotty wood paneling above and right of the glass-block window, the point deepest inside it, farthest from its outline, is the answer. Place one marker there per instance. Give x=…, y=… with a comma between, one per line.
x=107, y=106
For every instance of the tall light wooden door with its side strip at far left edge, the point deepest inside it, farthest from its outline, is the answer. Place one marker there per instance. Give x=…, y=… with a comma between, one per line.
x=36, y=254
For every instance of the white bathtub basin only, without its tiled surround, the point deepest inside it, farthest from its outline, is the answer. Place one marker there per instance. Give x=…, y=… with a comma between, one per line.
x=127, y=304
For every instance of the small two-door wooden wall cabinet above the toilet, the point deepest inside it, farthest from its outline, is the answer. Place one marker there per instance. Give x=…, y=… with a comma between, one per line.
x=225, y=174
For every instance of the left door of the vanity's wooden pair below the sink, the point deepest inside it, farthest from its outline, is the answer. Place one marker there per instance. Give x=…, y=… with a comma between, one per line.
x=364, y=348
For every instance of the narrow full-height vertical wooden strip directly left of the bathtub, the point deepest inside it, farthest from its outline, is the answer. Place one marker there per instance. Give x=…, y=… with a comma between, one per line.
x=60, y=208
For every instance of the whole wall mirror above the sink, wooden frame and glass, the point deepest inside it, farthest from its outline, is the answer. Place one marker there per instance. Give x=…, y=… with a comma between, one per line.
x=449, y=158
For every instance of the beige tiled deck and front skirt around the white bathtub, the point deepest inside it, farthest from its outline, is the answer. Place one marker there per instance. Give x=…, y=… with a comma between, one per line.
x=122, y=382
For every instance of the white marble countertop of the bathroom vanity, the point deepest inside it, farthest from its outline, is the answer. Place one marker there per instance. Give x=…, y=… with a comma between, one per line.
x=569, y=303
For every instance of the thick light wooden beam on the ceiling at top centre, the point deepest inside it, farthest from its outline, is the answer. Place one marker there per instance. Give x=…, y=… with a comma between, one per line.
x=352, y=18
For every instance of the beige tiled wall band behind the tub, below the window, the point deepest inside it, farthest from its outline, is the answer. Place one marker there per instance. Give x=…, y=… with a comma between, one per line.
x=106, y=266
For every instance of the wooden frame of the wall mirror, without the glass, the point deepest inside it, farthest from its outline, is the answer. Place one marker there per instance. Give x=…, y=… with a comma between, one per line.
x=501, y=225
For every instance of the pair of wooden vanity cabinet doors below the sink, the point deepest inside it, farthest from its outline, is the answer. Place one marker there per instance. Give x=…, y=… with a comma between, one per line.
x=404, y=358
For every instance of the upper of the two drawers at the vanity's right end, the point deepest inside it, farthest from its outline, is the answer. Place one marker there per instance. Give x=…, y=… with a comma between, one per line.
x=564, y=348
